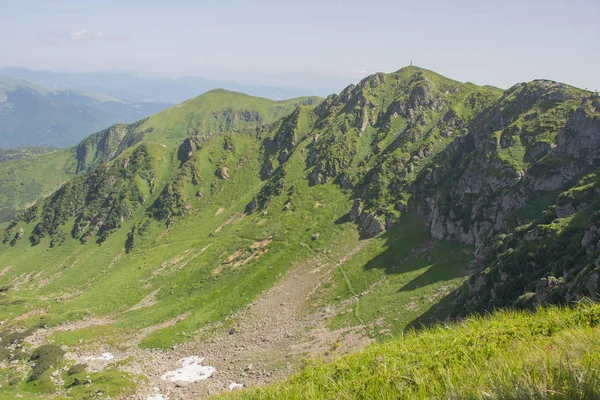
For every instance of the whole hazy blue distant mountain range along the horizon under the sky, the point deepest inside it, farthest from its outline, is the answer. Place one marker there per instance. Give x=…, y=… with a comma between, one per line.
x=58, y=109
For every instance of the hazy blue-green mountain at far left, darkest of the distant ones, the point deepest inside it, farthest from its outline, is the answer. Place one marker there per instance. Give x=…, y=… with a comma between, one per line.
x=31, y=115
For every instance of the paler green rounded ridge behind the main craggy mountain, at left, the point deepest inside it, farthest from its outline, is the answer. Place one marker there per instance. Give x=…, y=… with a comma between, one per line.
x=24, y=181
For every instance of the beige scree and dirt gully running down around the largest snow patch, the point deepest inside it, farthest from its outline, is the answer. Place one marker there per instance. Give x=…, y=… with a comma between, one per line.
x=271, y=334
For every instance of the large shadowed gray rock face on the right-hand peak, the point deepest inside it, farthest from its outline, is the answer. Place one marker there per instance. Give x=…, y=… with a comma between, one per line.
x=487, y=188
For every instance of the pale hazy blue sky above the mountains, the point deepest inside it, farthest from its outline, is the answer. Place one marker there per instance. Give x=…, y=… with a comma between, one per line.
x=485, y=42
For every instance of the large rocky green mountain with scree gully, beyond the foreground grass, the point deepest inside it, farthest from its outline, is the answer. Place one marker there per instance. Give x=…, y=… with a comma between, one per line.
x=258, y=232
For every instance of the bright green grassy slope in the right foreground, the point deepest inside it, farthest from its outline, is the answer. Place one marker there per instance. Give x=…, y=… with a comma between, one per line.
x=552, y=354
